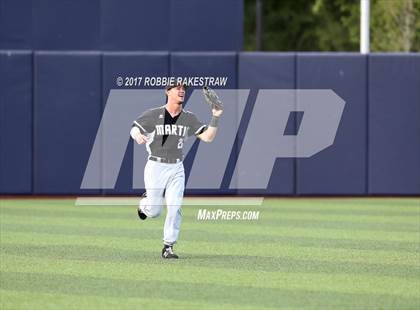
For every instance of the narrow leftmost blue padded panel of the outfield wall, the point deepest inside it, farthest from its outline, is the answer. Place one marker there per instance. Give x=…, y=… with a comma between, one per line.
x=15, y=122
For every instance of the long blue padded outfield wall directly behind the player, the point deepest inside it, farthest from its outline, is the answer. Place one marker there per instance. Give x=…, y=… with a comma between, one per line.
x=51, y=105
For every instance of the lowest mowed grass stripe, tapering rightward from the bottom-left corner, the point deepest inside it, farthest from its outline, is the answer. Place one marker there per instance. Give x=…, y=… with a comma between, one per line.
x=36, y=299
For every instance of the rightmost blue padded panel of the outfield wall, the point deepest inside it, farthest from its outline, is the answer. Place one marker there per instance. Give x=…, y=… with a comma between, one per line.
x=394, y=124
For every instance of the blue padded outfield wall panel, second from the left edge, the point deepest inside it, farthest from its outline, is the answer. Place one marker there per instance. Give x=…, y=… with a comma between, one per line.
x=67, y=111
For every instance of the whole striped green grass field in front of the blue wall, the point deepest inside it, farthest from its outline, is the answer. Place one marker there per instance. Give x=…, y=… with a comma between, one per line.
x=301, y=253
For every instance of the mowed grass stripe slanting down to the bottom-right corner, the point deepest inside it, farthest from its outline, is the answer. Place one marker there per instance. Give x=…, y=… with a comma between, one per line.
x=222, y=295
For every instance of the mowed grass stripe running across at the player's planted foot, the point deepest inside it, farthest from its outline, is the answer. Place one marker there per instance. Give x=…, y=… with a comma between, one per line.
x=241, y=262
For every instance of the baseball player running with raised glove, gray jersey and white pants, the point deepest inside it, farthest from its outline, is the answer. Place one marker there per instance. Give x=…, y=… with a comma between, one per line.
x=164, y=130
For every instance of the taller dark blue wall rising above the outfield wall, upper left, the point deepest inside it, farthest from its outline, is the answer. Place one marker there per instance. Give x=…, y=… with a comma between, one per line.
x=112, y=25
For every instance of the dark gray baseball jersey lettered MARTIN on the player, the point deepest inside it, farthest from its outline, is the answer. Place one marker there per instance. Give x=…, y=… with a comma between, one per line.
x=166, y=134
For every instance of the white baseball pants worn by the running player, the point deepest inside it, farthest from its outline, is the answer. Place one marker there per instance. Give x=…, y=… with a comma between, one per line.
x=160, y=178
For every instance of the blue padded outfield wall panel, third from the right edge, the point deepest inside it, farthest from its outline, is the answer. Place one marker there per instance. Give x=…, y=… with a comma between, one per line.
x=268, y=71
